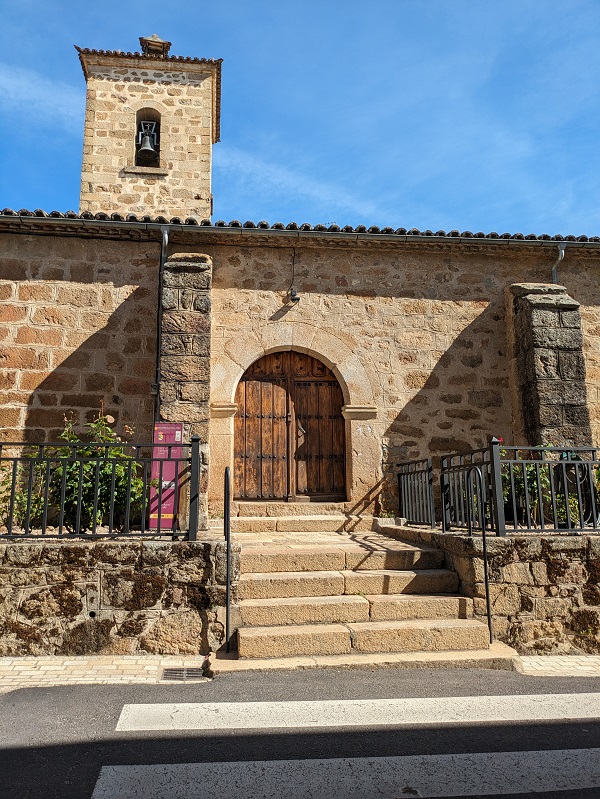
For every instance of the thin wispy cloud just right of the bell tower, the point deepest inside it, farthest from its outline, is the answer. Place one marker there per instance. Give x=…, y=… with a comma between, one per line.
x=249, y=174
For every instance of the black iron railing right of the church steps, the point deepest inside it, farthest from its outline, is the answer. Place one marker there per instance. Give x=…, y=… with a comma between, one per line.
x=507, y=488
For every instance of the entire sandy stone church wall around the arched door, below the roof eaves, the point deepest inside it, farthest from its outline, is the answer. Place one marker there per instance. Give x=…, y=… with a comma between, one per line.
x=416, y=333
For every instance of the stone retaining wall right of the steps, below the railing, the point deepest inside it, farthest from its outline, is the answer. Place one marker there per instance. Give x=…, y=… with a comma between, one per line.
x=545, y=592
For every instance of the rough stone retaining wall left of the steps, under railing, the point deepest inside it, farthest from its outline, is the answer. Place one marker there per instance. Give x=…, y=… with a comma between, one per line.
x=108, y=597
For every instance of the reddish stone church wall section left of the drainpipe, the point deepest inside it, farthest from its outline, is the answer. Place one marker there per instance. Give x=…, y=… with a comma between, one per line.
x=77, y=329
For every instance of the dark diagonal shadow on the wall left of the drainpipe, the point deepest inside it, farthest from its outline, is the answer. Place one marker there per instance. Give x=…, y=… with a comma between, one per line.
x=113, y=368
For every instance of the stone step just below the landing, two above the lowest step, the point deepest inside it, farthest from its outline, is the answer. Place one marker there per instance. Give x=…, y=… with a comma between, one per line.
x=335, y=583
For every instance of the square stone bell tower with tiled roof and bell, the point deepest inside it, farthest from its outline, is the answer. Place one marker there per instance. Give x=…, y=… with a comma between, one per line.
x=151, y=120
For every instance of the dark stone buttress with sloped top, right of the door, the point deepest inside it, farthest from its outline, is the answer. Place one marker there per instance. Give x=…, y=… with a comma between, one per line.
x=549, y=366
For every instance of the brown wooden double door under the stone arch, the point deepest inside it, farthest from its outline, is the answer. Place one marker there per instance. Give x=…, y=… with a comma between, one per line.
x=289, y=439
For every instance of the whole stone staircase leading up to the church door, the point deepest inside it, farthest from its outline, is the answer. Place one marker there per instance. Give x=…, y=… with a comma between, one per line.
x=328, y=584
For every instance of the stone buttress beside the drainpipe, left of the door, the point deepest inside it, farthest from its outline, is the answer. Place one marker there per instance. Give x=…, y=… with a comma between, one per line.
x=185, y=354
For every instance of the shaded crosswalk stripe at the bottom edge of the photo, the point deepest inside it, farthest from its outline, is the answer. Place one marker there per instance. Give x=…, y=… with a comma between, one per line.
x=481, y=774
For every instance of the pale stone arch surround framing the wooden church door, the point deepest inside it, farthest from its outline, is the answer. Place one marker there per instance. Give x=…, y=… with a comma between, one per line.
x=360, y=410
